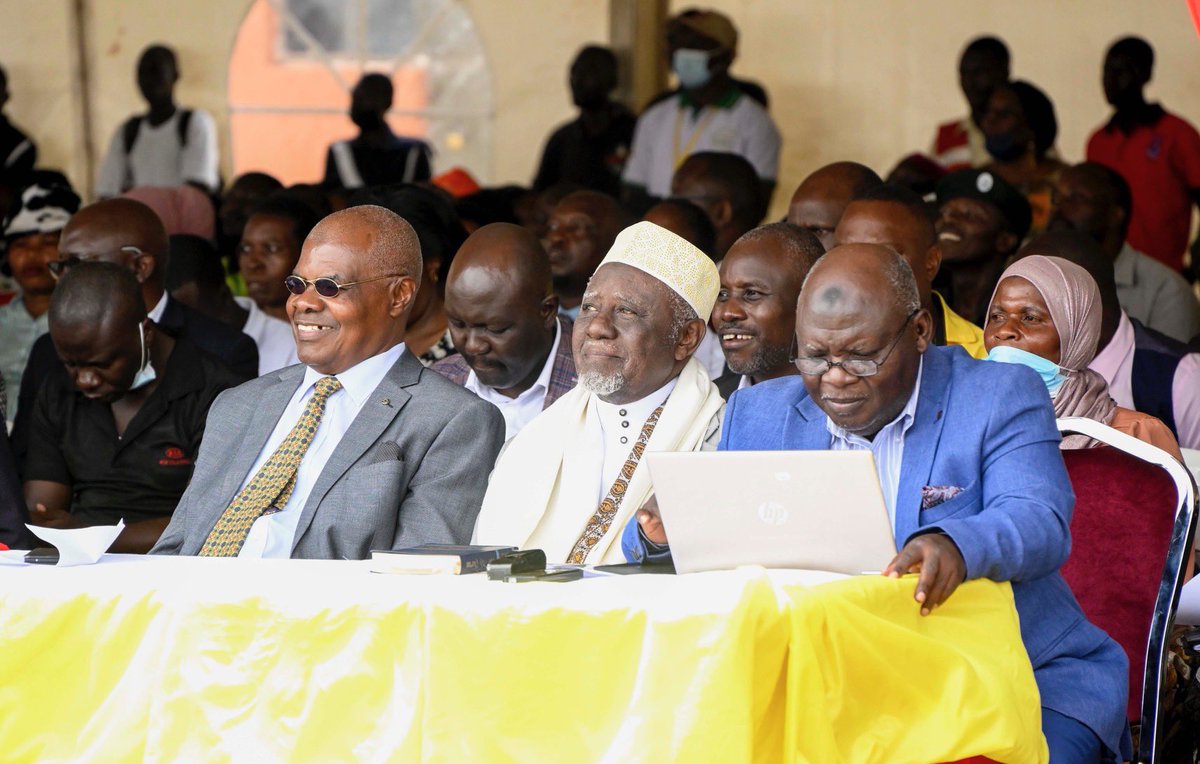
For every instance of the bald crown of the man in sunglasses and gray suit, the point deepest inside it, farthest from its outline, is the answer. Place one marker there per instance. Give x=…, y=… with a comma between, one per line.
x=383, y=242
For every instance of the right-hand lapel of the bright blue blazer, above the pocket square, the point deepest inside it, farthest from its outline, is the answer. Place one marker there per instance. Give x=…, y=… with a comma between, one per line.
x=921, y=442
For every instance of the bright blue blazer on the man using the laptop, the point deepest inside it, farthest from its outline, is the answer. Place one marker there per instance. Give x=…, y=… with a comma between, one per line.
x=987, y=429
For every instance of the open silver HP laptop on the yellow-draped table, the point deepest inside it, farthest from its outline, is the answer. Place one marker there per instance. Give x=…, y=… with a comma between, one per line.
x=814, y=510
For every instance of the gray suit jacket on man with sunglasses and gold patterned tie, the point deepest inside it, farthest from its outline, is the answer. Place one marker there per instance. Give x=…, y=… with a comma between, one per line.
x=412, y=468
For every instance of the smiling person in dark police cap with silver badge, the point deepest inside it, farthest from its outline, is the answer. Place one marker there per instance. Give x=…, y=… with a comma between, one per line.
x=981, y=222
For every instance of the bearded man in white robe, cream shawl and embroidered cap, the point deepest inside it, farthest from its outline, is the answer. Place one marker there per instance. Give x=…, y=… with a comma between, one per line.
x=573, y=478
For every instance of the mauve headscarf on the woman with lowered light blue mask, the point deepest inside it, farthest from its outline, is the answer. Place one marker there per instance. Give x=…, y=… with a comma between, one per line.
x=1075, y=303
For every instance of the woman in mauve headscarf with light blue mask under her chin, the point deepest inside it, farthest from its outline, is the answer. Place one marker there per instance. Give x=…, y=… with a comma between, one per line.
x=1046, y=315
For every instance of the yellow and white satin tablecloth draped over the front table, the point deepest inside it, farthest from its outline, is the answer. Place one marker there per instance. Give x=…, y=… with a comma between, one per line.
x=260, y=661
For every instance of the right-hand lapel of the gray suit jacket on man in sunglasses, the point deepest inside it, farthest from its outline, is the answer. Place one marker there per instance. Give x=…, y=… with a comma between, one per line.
x=382, y=407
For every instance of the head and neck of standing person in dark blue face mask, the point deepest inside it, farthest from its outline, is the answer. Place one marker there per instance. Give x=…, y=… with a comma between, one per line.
x=1021, y=129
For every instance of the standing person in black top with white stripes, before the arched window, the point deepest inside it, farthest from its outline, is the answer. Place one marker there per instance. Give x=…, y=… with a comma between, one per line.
x=377, y=157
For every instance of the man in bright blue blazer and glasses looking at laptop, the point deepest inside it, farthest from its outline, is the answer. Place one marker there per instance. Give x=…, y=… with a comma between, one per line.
x=968, y=456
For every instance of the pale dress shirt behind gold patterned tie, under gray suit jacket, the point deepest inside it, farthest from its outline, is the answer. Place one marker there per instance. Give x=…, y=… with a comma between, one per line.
x=272, y=536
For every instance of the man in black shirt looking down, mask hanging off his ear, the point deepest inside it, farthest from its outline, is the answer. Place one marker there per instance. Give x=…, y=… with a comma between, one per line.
x=118, y=436
